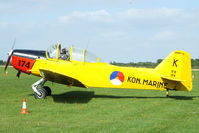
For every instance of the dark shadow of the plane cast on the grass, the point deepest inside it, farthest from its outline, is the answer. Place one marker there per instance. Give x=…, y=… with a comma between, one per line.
x=86, y=96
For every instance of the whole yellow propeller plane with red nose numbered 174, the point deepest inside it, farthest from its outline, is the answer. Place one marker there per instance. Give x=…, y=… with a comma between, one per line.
x=83, y=69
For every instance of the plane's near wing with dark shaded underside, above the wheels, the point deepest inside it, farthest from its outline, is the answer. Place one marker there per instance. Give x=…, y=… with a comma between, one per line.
x=61, y=78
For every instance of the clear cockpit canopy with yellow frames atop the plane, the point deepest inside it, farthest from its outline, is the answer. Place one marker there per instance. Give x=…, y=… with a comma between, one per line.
x=76, y=54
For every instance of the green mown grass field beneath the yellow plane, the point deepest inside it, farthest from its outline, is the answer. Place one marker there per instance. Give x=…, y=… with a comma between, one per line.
x=94, y=110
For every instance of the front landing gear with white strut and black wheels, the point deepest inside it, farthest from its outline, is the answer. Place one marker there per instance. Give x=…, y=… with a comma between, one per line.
x=43, y=91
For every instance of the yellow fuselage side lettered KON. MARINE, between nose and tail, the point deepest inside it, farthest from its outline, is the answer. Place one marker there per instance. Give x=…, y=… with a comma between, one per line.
x=99, y=74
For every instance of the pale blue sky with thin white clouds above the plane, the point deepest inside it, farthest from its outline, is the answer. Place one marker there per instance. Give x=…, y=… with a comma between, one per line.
x=115, y=30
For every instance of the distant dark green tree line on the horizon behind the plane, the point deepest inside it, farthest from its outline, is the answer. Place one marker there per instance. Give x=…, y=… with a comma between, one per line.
x=194, y=63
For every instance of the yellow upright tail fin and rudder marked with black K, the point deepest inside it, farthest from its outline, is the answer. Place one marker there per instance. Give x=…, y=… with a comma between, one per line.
x=177, y=67
